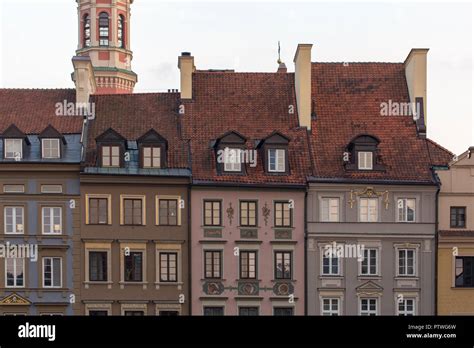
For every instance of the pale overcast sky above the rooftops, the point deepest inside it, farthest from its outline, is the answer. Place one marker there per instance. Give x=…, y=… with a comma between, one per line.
x=39, y=37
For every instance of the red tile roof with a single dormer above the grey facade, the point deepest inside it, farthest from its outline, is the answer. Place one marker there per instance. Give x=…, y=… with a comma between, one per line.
x=346, y=100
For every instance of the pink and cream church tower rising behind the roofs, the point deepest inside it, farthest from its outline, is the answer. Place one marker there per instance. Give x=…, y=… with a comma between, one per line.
x=104, y=37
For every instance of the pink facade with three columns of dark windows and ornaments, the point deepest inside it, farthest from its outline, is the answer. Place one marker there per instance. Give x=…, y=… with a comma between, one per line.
x=227, y=292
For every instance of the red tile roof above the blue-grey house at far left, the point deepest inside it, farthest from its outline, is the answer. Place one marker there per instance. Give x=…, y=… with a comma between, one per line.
x=31, y=110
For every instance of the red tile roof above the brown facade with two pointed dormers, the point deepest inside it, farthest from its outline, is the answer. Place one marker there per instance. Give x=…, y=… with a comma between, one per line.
x=132, y=115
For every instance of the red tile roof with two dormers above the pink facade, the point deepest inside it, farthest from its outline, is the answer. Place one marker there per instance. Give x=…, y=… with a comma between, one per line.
x=252, y=104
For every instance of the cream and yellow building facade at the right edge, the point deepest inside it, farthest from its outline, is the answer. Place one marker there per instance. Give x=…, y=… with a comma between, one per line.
x=456, y=237
